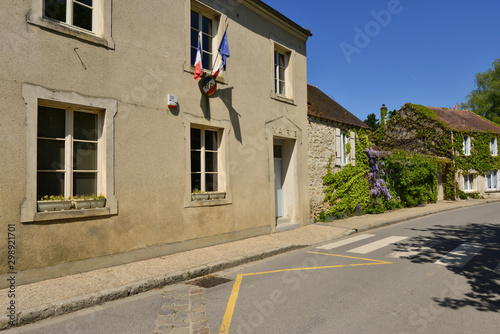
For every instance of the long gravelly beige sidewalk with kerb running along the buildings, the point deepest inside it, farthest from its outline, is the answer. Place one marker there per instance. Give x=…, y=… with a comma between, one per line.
x=67, y=294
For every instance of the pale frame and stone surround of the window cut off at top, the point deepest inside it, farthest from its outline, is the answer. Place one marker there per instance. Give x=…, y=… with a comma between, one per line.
x=101, y=23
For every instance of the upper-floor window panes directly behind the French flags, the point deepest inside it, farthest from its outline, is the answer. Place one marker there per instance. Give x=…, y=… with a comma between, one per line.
x=204, y=24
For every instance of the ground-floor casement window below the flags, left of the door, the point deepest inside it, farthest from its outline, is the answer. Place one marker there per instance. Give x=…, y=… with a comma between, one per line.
x=205, y=145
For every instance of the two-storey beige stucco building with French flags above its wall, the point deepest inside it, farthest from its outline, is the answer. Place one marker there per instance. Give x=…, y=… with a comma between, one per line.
x=85, y=109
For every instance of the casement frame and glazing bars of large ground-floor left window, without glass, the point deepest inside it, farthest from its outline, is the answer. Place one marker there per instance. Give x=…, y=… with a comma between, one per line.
x=69, y=146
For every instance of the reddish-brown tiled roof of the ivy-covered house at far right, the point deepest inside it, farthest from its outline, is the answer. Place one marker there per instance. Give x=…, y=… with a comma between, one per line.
x=465, y=120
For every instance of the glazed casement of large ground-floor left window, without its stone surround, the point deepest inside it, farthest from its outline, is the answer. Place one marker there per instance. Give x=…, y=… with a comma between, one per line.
x=68, y=151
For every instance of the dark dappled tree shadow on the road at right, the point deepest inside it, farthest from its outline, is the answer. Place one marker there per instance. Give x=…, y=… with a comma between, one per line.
x=479, y=272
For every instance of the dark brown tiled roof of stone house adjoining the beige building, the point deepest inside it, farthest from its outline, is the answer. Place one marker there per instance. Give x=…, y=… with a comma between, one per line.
x=322, y=106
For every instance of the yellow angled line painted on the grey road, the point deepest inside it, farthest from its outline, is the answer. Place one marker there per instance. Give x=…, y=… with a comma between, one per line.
x=226, y=321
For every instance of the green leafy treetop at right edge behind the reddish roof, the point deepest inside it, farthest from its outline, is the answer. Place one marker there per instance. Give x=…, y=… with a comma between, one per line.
x=485, y=99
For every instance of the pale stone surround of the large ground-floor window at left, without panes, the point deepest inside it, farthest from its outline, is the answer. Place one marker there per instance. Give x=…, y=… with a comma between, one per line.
x=32, y=95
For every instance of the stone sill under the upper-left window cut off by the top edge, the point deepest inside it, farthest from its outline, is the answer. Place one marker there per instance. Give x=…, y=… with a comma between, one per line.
x=71, y=31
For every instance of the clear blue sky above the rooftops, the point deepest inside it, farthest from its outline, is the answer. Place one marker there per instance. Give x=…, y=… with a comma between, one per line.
x=426, y=52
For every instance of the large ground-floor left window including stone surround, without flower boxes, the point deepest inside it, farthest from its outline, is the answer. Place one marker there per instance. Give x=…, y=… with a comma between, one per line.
x=69, y=151
